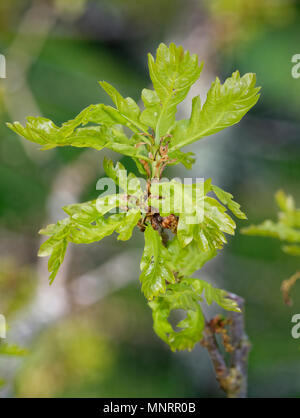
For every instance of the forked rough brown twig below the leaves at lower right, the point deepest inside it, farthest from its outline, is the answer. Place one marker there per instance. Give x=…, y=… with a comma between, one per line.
x=232, y=377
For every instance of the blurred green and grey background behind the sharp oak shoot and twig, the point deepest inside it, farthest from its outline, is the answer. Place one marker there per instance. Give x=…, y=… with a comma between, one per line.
x=90, y=333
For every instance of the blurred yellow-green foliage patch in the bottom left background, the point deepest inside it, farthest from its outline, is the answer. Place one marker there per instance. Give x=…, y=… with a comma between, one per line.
x=74, y=353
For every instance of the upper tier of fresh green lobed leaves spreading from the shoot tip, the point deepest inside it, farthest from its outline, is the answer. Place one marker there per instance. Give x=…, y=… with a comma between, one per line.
x=172, y=72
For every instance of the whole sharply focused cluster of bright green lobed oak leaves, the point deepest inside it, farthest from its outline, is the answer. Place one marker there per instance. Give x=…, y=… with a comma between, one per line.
x=155, y=141
